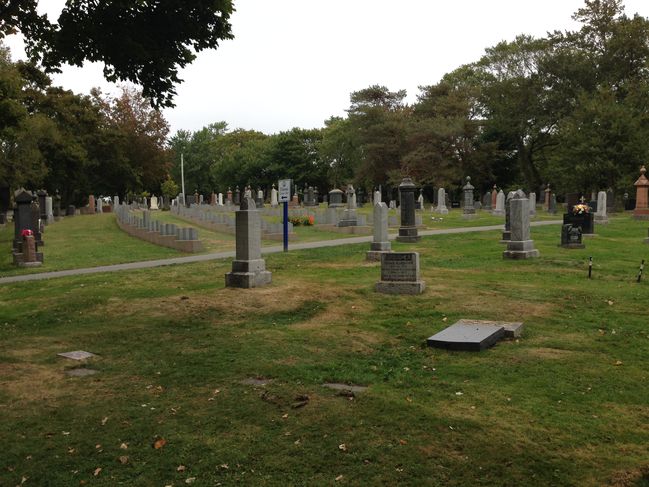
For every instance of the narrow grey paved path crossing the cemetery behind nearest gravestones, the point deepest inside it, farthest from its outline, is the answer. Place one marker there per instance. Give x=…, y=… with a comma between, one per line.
x=226, y=255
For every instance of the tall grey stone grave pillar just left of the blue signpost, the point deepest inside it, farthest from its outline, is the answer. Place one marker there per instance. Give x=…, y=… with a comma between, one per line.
x=248, y=268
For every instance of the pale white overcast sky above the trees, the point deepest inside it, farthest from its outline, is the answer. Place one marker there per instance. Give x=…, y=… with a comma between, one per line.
x=294, y=63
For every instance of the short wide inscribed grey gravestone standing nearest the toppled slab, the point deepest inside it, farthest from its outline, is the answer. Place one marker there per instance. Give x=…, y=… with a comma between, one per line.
x=400, y=274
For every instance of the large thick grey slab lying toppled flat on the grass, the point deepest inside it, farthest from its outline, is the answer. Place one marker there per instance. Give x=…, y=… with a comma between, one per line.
x=466, y=337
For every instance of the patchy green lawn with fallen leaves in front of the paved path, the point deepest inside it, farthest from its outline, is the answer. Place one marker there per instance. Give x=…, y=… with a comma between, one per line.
x=173, y=399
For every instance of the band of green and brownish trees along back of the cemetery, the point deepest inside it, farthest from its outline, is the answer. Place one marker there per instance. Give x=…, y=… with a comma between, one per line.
x=569, y=109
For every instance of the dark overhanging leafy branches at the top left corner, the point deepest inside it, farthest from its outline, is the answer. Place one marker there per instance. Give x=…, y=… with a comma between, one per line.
x=141, y=41
